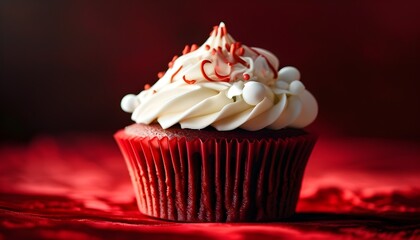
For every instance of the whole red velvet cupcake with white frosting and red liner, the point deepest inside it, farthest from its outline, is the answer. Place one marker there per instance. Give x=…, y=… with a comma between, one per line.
x=218, y=137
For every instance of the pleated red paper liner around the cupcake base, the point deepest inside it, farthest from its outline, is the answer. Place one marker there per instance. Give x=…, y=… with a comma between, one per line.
x=216, y=180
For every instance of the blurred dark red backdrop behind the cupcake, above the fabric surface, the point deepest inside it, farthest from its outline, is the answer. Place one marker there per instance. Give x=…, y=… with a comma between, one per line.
x=65, y=65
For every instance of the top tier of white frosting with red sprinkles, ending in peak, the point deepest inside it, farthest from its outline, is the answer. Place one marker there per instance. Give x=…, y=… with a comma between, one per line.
x=222, y=59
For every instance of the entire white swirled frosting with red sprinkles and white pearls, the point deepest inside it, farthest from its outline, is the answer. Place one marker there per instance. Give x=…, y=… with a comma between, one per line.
x=227, y=85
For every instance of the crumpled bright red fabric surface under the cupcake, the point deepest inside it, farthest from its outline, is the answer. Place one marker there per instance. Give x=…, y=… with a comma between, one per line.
x=77, y=187
